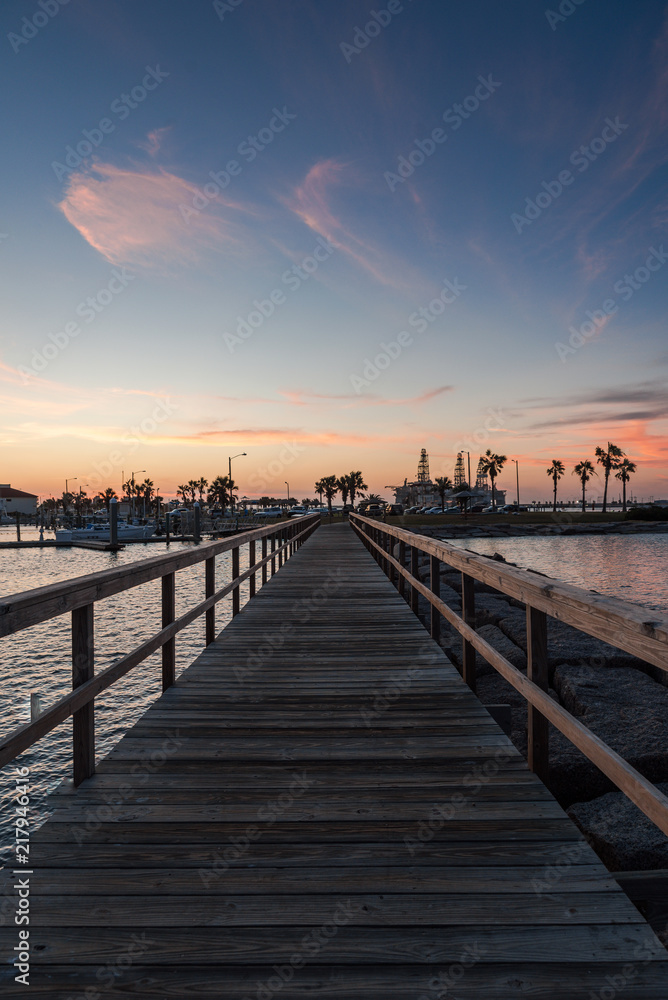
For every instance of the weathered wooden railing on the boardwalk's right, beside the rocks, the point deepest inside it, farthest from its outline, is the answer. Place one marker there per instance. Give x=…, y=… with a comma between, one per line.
x=636, y=630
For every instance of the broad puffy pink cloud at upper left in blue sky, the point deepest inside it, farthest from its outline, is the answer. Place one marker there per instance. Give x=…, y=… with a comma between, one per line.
x=142, y=218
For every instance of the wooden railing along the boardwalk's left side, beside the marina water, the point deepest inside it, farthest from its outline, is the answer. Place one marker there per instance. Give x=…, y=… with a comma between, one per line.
x=78, y=597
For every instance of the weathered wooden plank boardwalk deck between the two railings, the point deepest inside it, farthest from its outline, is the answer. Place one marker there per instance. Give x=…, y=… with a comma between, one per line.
x=320, y=807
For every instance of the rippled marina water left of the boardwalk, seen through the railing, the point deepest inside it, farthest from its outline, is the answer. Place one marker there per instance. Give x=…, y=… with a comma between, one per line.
x=38, y=659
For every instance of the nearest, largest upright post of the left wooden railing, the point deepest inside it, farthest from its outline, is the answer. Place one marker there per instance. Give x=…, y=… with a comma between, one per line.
x=83, y=720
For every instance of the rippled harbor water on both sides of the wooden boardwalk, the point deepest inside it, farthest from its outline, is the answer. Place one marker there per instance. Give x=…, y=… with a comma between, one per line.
x=38, y=659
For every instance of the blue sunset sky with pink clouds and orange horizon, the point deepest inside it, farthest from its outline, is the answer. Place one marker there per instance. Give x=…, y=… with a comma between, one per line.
x=328, y=234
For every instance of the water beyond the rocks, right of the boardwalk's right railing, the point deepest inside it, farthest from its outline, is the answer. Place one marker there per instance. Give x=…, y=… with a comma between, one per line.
x=632, y=567
